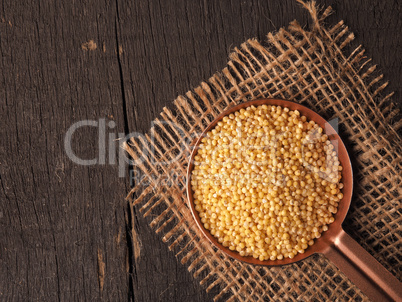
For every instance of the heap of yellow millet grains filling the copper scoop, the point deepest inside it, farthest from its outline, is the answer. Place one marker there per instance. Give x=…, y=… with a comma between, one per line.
x=266, y=182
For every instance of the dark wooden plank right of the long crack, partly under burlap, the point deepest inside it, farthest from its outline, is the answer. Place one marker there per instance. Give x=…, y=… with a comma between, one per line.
x=170, y=47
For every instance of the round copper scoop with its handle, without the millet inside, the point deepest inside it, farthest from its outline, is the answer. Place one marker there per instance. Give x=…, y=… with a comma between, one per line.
x=340, y=248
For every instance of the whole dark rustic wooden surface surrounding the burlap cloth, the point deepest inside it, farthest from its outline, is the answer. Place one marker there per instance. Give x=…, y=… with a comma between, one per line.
x=64, y=228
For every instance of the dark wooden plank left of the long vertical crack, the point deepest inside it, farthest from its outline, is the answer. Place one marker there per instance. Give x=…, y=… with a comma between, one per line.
x=62, y=225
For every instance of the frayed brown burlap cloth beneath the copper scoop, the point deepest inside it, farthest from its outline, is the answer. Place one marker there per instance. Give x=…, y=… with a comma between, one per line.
x=316, y=68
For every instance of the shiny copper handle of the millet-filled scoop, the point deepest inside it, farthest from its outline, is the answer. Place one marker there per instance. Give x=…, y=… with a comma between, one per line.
x=363, y=269
